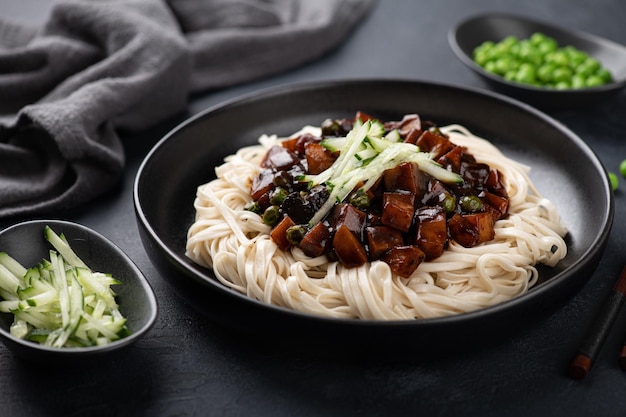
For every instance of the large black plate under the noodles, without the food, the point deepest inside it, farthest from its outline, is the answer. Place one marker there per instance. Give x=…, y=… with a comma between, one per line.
x=564, y=168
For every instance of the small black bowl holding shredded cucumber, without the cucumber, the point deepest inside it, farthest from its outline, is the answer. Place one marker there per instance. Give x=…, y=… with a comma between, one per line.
x=26, y=243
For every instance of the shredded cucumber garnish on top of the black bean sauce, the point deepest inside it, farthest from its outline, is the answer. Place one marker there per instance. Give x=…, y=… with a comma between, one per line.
x=364, y=154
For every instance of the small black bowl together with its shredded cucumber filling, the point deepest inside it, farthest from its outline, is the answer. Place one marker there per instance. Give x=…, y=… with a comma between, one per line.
x=67, y=291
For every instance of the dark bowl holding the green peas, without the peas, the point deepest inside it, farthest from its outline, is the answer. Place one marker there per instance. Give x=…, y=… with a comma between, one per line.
x=470, y=33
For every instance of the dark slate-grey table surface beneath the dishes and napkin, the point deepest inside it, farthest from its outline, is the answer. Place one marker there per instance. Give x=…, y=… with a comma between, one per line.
x=188, y=366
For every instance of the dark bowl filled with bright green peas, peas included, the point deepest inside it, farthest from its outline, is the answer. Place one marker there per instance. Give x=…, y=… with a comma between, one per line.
x=544, y=65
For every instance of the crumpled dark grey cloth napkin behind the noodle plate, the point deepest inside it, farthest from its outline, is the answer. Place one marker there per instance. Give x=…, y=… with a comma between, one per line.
x=95, y=67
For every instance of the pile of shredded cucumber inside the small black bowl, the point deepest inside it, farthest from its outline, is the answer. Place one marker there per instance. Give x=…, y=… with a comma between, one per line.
x=61, y=302
